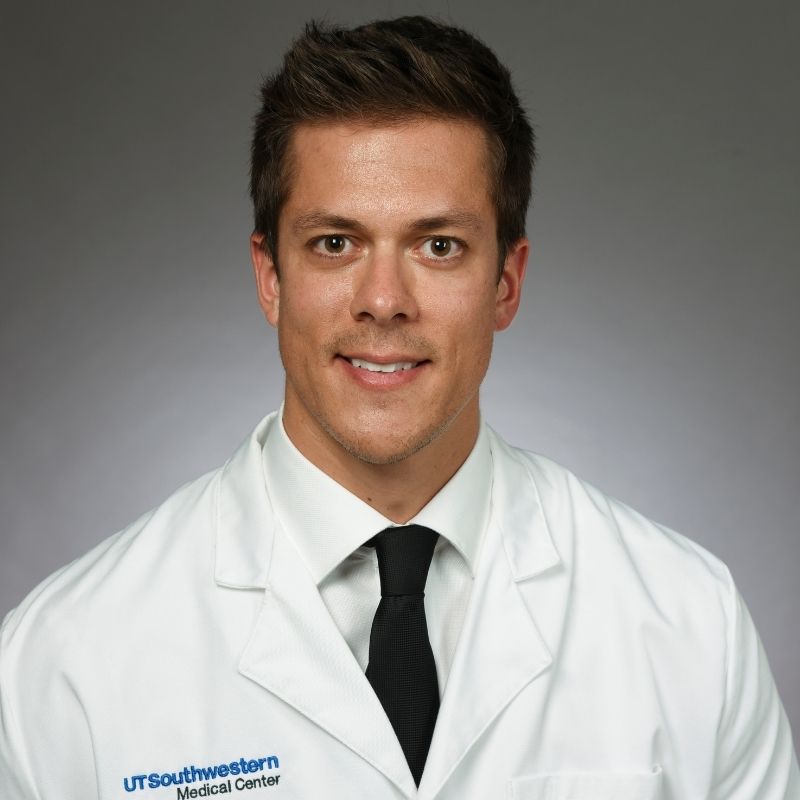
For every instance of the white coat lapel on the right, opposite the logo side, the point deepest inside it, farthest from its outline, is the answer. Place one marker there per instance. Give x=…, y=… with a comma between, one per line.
x=500, y=650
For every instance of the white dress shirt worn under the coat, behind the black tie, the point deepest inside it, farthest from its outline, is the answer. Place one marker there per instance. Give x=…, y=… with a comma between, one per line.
x=329, y=526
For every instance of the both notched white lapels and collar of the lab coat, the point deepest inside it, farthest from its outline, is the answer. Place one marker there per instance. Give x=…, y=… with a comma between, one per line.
x=297, y=653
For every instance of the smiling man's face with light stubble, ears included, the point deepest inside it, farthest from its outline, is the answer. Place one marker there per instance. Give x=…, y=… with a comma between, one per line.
x=386, y=296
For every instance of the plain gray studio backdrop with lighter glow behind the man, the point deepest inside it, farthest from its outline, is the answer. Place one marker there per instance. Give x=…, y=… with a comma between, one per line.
x=655, y=353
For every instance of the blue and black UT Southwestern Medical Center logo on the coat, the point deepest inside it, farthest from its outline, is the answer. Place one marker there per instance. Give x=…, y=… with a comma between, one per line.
x=255, y=767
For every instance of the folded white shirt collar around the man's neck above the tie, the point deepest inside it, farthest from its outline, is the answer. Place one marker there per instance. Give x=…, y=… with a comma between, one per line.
x=327, y=523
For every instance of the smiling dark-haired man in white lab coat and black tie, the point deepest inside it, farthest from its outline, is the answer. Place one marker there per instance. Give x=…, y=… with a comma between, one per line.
x=264, y=630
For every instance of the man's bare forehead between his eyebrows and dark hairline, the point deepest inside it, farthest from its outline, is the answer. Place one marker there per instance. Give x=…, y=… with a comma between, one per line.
x=422, y=166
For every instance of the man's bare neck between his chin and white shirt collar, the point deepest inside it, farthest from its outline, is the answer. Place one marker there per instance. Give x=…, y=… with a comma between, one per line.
x=397, y=490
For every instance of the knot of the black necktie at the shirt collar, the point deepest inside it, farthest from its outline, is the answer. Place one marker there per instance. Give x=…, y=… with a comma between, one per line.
x=404, y=556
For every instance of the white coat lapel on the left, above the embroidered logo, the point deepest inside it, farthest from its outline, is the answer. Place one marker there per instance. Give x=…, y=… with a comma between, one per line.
x=295, y=650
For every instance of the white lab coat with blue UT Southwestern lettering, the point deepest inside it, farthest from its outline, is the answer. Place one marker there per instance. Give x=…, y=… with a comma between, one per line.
x=602, y=658
